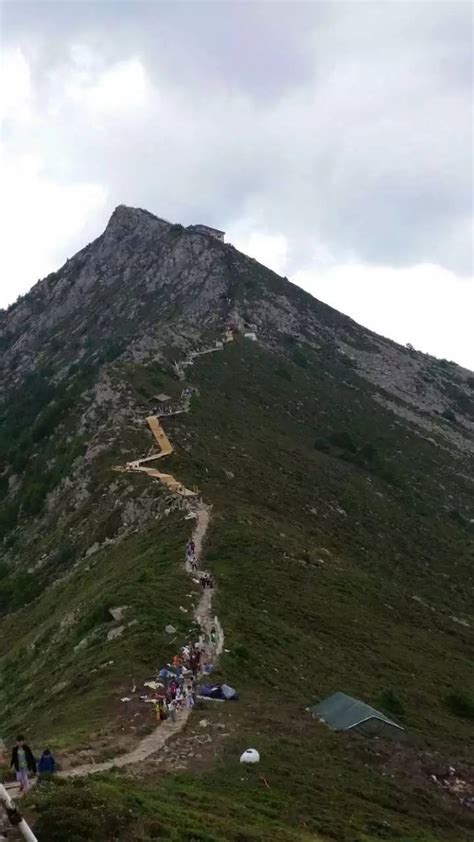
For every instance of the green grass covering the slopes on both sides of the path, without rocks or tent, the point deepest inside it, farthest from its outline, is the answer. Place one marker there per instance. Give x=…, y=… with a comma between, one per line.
x=319, y=553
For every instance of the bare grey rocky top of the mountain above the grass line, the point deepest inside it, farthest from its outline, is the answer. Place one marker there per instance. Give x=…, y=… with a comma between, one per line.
x=145, y=282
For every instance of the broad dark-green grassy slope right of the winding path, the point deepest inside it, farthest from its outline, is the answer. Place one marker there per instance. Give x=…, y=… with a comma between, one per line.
x=313, y=599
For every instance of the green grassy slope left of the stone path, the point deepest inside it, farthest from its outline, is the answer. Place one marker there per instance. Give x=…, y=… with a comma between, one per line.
x=145, y=573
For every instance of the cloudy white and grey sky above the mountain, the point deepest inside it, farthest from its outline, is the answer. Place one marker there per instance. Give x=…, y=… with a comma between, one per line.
x=331, y=140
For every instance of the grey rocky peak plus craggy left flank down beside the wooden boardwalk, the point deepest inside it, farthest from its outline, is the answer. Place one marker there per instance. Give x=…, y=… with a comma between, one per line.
x=147, y=291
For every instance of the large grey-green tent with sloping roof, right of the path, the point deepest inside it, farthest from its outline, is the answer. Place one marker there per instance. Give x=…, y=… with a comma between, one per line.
x=344, y=713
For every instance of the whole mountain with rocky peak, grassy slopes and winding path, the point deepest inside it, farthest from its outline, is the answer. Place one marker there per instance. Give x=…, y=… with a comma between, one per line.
x=195, y=451
